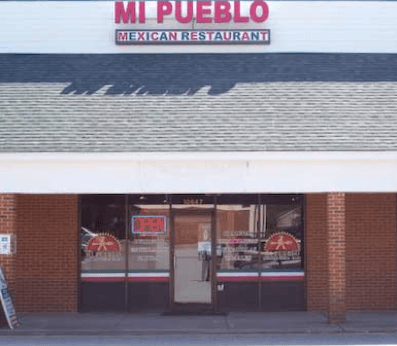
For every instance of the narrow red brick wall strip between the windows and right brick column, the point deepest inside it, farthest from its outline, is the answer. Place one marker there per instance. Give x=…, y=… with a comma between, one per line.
x=316, y=255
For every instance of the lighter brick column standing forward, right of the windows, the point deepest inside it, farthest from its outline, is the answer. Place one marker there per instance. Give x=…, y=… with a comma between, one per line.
x=336, y=257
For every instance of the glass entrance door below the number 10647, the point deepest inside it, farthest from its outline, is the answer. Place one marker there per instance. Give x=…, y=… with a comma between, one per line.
x=192, y=256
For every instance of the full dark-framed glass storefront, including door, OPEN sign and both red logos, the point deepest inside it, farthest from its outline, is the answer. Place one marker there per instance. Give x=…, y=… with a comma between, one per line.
x=126, y=248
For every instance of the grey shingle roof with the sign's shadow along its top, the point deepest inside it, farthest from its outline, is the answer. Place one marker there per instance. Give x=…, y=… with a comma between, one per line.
x=279, y=102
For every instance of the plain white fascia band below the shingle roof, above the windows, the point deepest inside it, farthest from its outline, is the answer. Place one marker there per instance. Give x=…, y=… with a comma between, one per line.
x=268, y=172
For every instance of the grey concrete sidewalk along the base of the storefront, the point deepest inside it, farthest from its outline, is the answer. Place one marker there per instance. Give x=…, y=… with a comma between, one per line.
x=112, y=324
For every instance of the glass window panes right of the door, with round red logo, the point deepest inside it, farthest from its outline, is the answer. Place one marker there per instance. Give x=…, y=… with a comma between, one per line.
x=253, y=237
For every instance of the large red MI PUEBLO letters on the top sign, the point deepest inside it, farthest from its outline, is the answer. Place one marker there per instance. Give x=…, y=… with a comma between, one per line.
x=186, y=11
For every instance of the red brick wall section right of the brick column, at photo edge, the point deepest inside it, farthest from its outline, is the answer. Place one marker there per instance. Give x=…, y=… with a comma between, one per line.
x=371, y=251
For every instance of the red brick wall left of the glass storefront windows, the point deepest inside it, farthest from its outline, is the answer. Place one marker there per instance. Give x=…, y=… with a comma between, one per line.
x=45, y=266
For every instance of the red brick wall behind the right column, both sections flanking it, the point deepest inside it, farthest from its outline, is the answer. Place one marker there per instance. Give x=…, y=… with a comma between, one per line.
x=370, y=226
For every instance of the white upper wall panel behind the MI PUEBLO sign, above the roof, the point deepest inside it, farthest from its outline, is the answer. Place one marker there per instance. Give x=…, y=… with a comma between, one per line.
x=296, y=26
